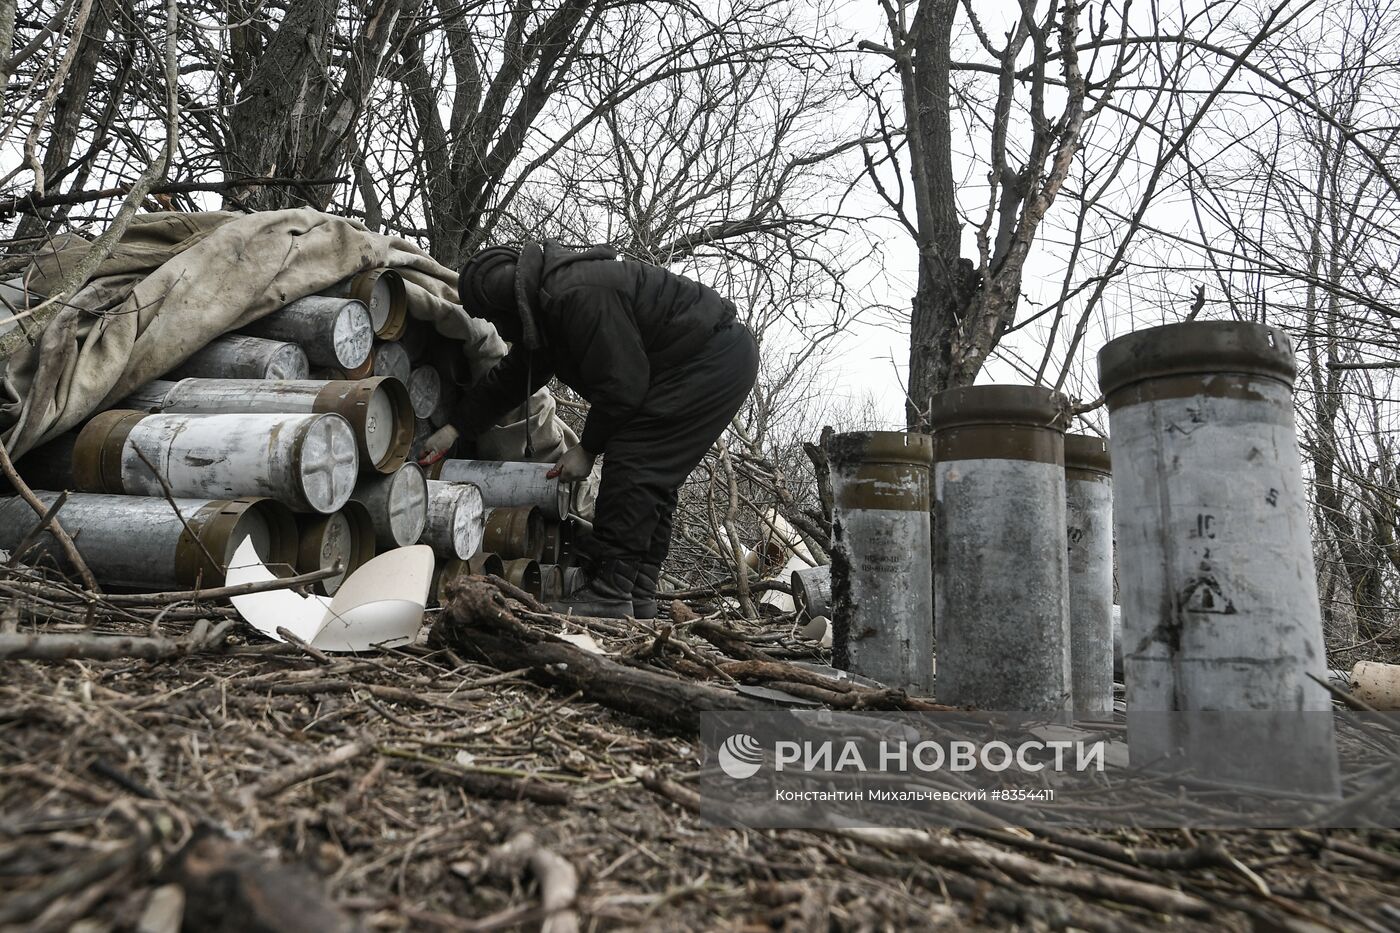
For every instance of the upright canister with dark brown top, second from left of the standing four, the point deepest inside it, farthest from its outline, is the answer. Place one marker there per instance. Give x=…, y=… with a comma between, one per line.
x=1002, y=581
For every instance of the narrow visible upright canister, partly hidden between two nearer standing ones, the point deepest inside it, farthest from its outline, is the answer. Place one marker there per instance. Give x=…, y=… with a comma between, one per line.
x=1088, y=490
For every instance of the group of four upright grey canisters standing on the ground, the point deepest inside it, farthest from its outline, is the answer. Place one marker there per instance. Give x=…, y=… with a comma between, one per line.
x=990, y=547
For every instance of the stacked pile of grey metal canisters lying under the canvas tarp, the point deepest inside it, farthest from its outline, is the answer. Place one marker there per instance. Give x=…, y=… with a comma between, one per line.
x=302, y=434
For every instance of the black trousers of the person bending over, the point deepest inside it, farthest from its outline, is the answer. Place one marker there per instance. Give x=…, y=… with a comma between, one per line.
x=687, y=410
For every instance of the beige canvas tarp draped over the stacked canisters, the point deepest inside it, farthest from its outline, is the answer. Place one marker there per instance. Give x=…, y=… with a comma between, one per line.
x=177, y=281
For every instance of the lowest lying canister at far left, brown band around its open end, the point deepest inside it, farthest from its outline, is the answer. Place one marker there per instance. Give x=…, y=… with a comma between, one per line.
x=142, y=543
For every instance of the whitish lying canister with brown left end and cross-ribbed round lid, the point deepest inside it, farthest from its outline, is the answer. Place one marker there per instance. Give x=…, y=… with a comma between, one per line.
x=303, y=462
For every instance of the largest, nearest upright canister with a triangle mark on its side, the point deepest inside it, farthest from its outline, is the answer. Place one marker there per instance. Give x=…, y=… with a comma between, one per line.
x=1216, y=567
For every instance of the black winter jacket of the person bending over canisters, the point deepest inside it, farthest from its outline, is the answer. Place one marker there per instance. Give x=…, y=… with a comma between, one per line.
x=607, y=326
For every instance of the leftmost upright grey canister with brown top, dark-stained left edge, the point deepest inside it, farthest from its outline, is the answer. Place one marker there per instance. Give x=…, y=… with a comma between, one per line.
x=881, y=572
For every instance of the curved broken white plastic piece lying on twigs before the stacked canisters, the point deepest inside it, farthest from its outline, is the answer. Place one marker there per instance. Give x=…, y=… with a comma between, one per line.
x=380, y=606
